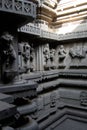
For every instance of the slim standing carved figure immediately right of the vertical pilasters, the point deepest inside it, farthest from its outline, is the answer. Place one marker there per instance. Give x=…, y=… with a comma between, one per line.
x=47, y=54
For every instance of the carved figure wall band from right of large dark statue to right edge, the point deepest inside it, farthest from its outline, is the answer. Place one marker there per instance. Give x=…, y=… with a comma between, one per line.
x=45, y=56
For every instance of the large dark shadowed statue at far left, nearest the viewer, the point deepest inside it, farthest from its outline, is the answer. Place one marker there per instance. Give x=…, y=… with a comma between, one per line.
x=7, y=57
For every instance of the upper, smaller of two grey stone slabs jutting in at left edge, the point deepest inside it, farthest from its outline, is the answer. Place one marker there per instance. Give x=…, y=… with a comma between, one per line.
x=6, y=98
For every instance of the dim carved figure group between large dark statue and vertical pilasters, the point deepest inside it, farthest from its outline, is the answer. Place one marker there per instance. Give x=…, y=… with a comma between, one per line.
x=26, y=56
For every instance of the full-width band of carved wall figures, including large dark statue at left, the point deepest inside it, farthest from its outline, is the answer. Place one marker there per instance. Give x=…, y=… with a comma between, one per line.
x=25, y=57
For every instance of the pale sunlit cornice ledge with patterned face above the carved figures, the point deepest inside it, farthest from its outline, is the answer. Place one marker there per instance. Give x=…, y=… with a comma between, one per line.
x=49, y=35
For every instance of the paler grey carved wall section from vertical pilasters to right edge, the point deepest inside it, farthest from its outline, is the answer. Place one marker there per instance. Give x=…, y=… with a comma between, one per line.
x=63, y=56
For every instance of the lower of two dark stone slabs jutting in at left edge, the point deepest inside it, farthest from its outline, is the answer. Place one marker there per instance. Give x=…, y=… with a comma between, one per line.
x=6, y=110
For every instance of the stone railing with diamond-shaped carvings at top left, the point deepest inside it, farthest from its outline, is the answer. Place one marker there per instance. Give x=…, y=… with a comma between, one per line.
x=22, y=7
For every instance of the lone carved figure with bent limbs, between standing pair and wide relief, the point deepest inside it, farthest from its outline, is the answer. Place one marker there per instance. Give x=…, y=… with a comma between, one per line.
x=62, y=53
